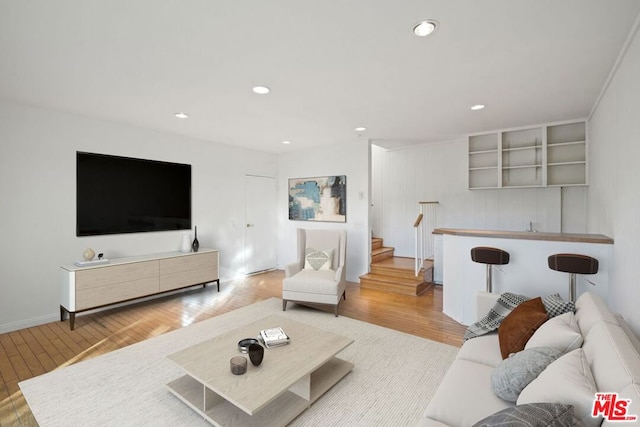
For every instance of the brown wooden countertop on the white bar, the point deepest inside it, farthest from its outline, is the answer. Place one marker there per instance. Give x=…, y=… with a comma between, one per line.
x=527, y=235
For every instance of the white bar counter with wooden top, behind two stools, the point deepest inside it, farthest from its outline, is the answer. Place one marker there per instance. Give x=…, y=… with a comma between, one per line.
x=527, y=273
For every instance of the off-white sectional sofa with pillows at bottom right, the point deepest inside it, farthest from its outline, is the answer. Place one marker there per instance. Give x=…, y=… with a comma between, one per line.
x=608, y=361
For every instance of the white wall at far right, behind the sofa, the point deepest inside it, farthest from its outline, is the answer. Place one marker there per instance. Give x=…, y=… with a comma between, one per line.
x=614, y=194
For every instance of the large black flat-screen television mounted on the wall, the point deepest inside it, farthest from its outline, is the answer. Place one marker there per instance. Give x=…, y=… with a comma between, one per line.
x=126, y=195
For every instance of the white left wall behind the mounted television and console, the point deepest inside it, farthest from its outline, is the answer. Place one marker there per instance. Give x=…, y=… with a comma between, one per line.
x=37, y=199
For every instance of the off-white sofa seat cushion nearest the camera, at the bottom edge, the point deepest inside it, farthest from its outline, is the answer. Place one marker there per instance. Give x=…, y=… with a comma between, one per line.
x=464, y=396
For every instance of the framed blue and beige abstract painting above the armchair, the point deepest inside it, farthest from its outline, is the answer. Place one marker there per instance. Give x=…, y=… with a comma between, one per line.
x=318, y=199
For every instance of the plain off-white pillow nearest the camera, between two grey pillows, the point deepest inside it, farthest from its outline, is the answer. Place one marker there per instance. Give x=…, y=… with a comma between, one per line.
x=568, y=380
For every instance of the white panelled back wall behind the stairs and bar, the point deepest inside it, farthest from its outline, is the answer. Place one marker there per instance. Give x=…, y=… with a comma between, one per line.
x=437, y=172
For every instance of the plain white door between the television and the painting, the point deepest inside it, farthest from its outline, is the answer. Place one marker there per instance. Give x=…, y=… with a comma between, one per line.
x=260, y=236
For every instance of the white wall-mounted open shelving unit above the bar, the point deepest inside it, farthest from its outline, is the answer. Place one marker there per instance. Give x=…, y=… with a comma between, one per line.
x=545, y=155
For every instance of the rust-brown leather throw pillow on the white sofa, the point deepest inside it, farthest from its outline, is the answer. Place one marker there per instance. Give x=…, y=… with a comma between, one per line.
x=519, y=325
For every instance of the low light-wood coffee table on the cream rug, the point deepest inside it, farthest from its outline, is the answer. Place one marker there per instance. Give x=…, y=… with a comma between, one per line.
x=288, y=381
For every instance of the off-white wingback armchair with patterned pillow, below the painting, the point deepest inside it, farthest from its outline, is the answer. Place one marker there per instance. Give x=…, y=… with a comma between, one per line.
x=319, y=274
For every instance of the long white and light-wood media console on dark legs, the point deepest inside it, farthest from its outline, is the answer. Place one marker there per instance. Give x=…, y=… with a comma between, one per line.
x=124, y=279
